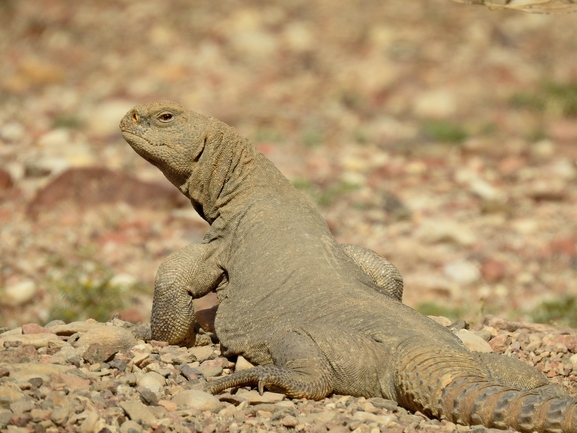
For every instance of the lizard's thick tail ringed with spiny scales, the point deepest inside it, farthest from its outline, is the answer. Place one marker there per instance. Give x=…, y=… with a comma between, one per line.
x=452, y=384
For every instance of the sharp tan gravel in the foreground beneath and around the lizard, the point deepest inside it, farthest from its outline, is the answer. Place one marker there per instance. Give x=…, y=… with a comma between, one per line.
x=95, y=377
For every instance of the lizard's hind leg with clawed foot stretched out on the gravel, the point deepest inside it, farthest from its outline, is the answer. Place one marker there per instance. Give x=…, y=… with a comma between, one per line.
x=317, y=359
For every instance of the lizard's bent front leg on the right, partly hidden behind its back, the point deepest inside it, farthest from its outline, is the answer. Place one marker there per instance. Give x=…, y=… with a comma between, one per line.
x=383, y=273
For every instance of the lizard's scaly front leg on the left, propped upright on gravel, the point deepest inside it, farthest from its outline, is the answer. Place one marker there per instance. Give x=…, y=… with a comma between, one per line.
x=186, y=274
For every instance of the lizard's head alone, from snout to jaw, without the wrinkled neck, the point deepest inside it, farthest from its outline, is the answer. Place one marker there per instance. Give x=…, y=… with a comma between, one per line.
x=168, y=136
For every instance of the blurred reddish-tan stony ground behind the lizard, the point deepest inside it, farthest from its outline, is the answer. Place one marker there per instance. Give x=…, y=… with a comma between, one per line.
x=440, y=135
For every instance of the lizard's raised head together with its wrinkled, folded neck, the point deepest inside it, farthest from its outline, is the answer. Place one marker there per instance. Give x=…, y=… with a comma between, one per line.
x=203, y=157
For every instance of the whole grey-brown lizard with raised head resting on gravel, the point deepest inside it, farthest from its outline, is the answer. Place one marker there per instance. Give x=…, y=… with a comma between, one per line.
x=316, y=317
